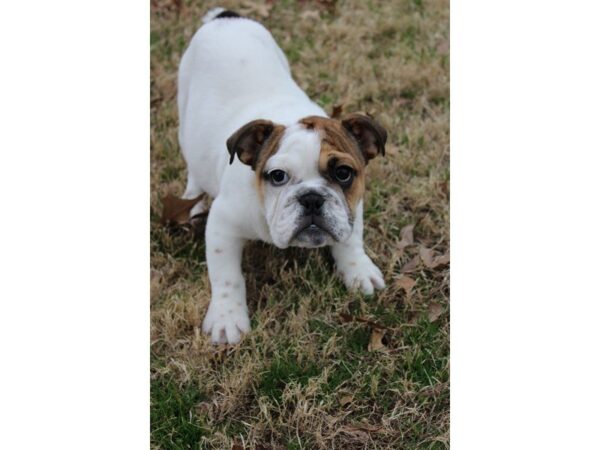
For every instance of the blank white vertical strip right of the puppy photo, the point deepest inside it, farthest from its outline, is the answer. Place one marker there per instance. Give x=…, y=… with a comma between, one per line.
x=524, y=220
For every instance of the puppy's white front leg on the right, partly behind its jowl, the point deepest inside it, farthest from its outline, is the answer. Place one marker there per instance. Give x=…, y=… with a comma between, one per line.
x=356, y=268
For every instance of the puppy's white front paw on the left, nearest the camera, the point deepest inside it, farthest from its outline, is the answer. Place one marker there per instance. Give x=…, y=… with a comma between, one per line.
x=225, y=322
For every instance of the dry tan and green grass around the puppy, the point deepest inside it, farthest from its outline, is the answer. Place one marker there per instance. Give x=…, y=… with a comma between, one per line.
x=304, y=377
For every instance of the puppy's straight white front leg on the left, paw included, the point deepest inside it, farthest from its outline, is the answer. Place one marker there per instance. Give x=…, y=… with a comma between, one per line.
x=227, y=315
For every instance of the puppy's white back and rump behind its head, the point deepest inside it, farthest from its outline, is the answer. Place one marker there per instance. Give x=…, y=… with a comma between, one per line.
x=232, y=72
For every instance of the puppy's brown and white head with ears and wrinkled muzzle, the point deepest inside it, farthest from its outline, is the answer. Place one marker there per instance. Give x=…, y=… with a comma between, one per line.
x=311, y=175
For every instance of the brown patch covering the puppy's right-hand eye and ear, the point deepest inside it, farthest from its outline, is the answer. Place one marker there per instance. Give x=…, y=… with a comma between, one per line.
x=341, y=146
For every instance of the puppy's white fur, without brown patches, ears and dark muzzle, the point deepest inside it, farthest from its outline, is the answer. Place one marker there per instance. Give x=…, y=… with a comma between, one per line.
x=233, y=72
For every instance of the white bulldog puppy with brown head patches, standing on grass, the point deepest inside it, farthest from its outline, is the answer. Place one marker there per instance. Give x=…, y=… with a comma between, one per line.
x=277, y=167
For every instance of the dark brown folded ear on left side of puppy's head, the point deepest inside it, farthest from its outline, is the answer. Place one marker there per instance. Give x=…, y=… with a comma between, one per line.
x=249, y=140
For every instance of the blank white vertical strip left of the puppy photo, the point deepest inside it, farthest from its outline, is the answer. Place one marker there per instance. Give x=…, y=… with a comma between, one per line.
x=74, y=184
